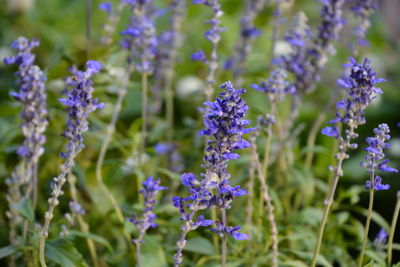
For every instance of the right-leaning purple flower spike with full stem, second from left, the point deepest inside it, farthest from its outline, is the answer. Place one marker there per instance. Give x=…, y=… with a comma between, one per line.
x=79, y=103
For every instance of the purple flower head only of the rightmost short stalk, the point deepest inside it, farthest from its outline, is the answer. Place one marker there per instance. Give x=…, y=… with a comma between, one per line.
x=375, y=158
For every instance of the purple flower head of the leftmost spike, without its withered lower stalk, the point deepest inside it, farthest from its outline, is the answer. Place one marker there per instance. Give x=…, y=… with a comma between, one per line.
x=32, y=95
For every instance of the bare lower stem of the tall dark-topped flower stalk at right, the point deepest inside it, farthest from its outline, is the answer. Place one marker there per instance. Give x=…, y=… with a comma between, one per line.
x=328, y=204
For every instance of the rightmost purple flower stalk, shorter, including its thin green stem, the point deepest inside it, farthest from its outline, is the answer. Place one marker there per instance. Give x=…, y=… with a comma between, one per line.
x=375, y=161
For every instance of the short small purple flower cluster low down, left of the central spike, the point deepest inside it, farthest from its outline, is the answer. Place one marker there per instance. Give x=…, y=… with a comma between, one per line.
x=149, y=191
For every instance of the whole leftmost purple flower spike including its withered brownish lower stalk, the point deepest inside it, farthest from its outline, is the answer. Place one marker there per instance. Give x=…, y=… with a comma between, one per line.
x=32, y=95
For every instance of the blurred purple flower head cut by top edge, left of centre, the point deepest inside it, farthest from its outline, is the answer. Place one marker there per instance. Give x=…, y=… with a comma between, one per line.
x=140, y=36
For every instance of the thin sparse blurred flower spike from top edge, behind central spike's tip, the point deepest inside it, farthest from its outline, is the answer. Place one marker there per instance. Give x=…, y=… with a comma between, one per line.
x=212, y=35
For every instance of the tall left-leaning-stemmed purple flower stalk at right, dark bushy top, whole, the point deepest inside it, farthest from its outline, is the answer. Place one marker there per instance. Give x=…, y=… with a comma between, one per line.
x=361, y=90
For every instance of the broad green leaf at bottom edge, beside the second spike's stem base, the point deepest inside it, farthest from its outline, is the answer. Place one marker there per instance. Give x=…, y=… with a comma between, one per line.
x=63, y=252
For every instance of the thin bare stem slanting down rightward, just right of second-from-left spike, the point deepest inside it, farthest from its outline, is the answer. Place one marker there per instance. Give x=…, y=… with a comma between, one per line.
x=82, y=224
